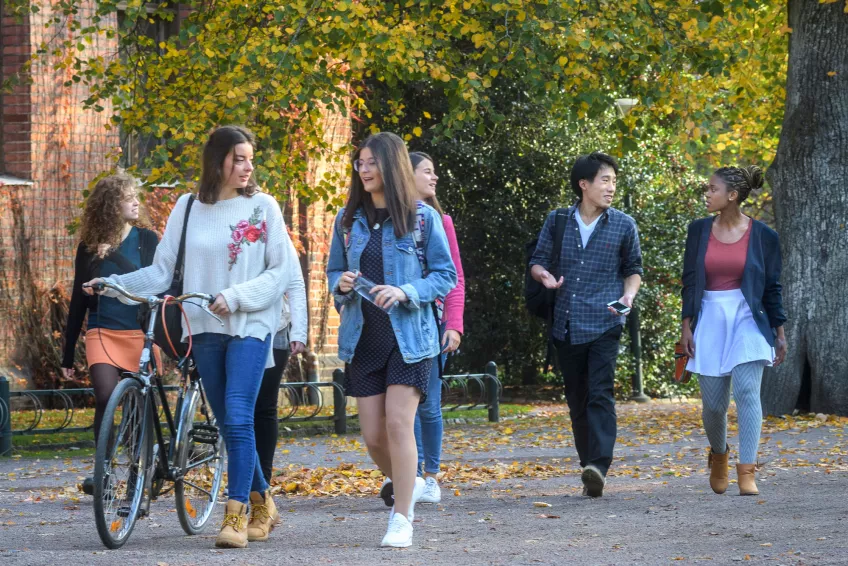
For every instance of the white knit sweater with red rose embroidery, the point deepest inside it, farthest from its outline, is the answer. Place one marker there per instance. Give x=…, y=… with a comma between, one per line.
x=239, y=248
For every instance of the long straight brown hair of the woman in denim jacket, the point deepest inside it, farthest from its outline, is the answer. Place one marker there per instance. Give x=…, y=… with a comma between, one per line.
x=398, y=184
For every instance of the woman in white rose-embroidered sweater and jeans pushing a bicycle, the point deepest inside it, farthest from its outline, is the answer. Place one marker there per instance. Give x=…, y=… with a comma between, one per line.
x=237, y=249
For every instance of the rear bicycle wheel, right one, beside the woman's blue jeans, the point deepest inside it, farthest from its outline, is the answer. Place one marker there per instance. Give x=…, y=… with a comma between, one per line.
x=200, y=461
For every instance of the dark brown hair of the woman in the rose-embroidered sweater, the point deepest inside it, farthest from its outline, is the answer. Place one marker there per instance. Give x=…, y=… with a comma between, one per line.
x=219, y=145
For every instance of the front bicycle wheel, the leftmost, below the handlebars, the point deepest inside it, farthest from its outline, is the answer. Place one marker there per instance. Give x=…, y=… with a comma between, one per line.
x=121, y=463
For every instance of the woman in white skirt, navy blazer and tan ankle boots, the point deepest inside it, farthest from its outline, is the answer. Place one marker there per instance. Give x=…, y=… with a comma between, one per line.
x=732, y=318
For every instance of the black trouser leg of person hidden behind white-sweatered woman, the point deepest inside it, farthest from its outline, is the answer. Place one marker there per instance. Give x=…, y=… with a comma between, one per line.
x=265, y=423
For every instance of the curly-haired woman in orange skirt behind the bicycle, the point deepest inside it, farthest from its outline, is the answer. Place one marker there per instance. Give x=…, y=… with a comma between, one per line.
x=113, y=241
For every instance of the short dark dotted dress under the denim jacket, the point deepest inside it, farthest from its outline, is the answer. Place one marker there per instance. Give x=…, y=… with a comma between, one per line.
x=377, y=361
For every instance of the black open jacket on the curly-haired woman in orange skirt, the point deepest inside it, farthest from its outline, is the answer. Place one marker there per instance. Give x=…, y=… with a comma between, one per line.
x=87, y=267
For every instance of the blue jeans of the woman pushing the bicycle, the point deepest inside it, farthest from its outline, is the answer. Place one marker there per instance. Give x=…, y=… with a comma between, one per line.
x=231, y=370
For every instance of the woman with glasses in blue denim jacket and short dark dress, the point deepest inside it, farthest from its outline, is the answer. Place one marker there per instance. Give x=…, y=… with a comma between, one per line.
x=389, y=344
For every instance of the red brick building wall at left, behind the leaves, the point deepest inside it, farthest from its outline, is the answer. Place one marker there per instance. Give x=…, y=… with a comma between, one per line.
x=50, y=149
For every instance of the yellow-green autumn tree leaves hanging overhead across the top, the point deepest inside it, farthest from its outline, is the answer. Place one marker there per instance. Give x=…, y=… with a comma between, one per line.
x=711, y=72
